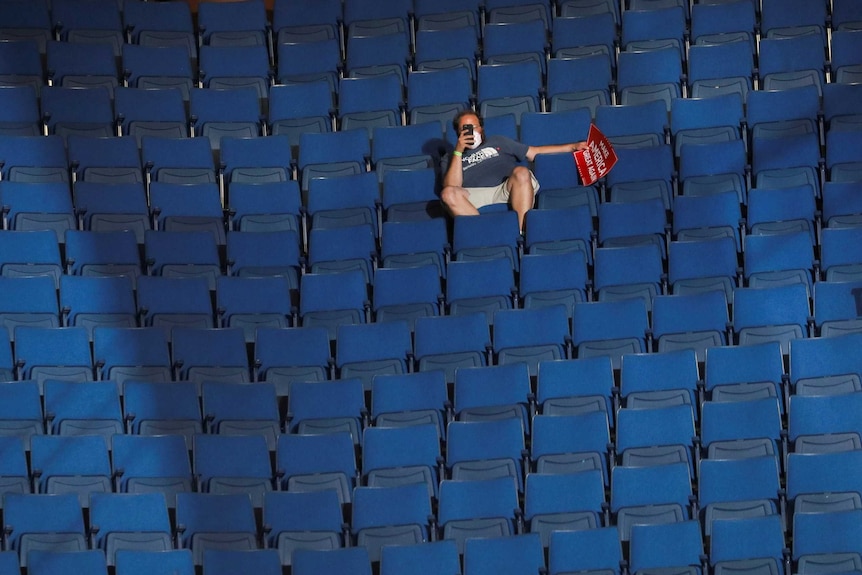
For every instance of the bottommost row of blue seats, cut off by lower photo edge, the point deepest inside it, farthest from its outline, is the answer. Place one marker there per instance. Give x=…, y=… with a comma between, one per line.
x=657, y=546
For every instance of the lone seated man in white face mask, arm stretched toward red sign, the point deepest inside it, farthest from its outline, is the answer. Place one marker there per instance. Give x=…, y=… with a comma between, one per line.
x=489, y=170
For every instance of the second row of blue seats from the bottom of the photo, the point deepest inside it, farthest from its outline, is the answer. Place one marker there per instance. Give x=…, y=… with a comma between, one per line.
x=467, y=508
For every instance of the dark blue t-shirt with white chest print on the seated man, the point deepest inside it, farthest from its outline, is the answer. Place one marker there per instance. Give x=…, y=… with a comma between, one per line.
x=492, y=162
